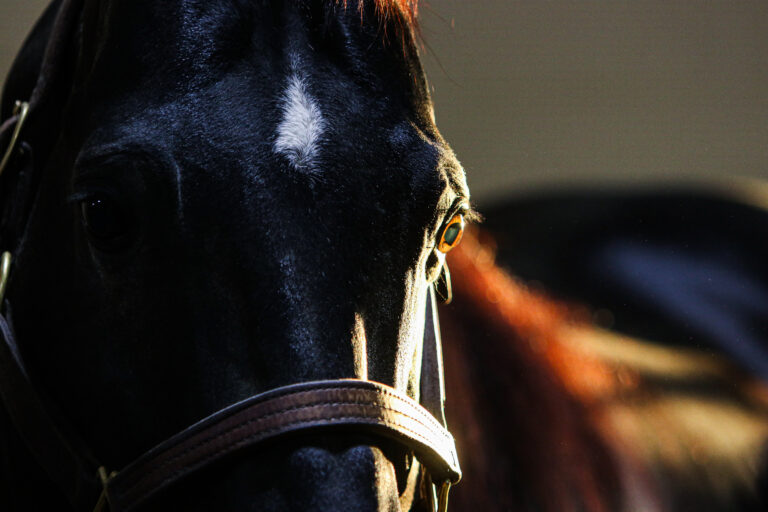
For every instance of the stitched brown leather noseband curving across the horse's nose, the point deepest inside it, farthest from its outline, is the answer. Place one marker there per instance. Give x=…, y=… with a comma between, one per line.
x=327, y=405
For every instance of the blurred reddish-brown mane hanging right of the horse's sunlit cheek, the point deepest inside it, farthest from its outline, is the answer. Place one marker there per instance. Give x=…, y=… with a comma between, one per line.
x=513, y=396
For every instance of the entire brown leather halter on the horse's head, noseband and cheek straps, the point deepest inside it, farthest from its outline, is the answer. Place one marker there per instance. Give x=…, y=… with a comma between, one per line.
x=337, y=405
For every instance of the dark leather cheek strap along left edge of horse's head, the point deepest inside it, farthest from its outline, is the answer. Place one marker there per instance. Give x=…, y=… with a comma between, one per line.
x=47, y=435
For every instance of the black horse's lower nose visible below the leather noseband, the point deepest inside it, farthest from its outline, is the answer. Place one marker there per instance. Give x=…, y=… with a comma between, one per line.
x=323, y=476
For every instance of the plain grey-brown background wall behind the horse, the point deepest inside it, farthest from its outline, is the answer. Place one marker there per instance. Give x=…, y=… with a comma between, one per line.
x=536, y=94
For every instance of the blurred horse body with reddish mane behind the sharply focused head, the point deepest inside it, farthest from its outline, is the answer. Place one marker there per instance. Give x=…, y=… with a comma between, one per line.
x=552, y=411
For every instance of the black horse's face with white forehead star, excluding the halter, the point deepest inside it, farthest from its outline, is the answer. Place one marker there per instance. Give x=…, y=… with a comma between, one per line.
x=243, y=195
